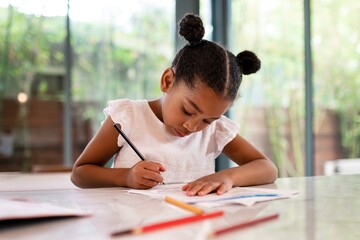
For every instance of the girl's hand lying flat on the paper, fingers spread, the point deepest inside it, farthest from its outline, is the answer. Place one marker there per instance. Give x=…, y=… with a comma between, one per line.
x=220, y=183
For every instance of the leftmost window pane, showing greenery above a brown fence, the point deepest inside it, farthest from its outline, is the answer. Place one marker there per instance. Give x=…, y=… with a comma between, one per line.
x=31, y=87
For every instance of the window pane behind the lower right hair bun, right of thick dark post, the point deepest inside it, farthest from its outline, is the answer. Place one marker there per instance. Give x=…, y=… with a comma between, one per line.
x=270, y=109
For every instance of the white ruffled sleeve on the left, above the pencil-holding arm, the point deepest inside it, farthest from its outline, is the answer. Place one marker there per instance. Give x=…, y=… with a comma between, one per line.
x=121, y=111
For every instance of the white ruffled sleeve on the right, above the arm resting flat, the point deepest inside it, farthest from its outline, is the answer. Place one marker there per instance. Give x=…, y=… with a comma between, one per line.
x=226, y=131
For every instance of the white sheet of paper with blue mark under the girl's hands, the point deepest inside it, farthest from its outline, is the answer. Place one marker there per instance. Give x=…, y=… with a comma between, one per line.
x=247, y=196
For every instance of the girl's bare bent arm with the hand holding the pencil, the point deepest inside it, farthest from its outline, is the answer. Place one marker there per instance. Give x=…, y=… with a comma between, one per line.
x=89, y=170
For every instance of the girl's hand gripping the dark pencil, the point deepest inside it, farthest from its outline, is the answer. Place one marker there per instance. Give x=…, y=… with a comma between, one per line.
x=144, y=175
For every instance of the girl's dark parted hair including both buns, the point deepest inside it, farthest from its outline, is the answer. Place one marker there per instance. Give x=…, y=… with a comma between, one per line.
x=209, y=62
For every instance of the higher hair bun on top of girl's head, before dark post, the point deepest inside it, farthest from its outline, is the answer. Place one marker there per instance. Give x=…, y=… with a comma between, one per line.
x=192, y=29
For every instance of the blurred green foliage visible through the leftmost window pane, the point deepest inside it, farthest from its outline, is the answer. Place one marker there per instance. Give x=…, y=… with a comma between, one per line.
x=31, y=43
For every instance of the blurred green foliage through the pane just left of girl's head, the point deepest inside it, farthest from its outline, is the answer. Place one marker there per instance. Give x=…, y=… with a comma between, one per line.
x=113, y=63
